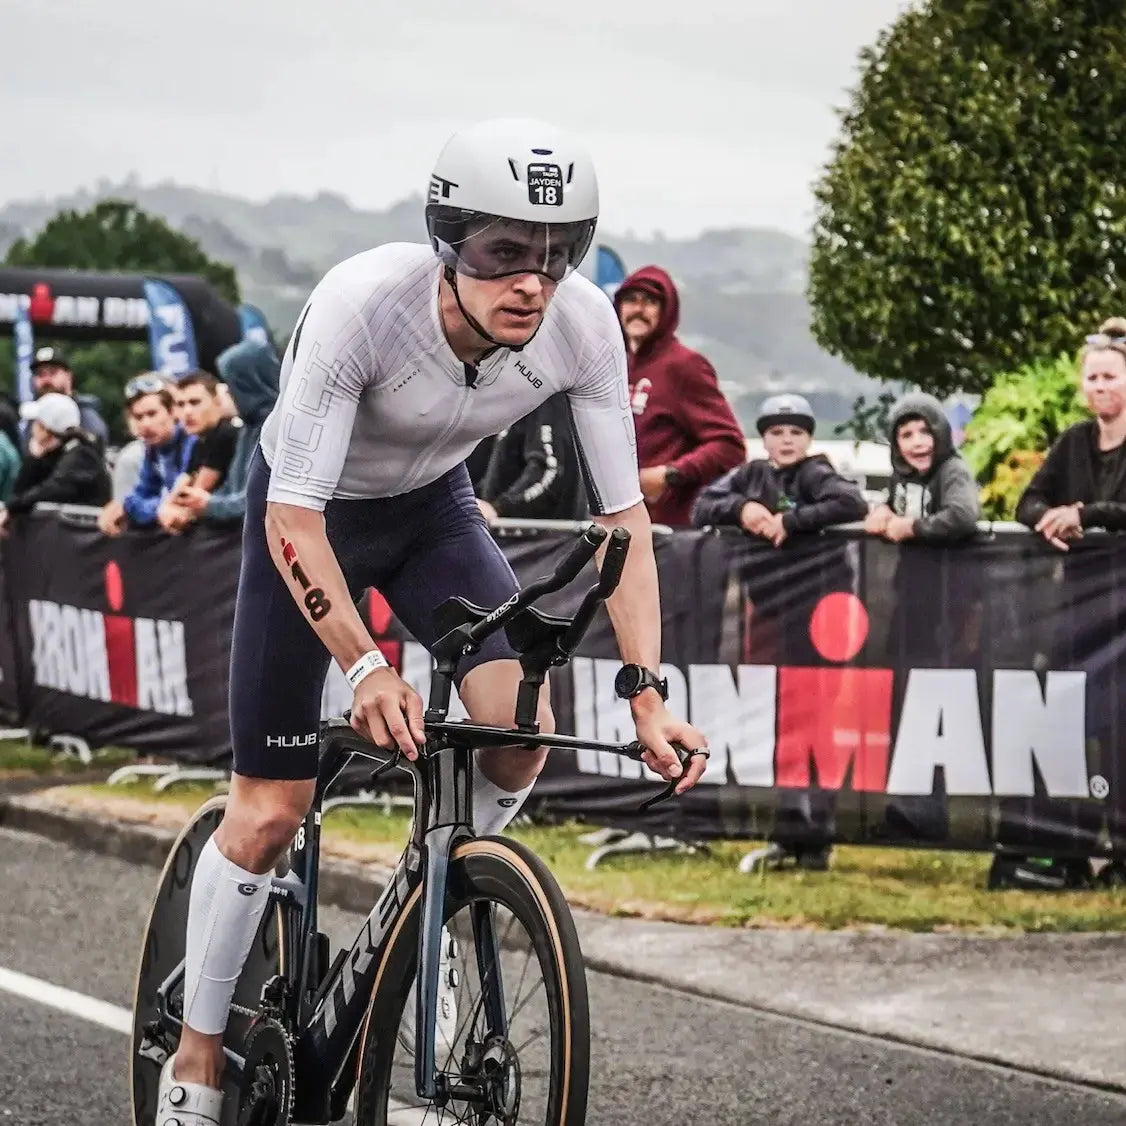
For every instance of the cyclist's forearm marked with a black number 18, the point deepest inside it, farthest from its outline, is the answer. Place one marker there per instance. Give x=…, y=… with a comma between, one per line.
x=306, y=560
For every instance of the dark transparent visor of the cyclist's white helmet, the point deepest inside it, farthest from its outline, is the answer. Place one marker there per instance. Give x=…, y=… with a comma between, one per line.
x=482, y=246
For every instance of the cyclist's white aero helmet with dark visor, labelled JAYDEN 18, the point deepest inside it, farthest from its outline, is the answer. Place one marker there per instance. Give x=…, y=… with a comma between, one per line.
x=513, y=196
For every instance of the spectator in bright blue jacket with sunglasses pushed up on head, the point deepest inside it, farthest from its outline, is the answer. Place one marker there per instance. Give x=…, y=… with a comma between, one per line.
x=150, y=407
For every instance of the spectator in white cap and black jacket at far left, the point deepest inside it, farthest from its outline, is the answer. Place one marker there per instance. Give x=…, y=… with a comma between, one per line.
x=64, y=463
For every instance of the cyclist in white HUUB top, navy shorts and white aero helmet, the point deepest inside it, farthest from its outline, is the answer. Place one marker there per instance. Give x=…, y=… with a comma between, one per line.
x=404, y=360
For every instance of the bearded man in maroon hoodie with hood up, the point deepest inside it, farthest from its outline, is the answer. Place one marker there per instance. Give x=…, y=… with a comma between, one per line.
x=687, y=435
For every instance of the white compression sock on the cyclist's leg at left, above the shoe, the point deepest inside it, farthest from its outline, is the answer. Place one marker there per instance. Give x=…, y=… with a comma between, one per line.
x=225, y=911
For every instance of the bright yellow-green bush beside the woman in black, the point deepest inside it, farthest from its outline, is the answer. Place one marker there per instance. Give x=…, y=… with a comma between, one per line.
x=1018, y=421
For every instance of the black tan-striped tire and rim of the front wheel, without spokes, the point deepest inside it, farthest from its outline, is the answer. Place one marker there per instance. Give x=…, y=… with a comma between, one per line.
x=506, y=873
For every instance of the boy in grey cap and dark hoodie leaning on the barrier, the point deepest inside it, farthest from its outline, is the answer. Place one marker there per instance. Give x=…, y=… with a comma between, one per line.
x=788, y=491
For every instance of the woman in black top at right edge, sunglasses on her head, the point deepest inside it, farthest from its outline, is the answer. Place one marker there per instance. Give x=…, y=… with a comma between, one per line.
x=1083, y=484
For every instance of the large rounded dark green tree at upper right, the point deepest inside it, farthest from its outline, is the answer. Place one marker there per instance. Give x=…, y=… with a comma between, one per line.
x=973, y=213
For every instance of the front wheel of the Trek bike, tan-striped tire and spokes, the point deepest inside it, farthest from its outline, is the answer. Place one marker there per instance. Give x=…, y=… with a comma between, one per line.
x=534, y=1073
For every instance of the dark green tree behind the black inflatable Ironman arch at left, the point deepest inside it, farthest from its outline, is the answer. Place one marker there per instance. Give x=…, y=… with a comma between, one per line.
x=114, y=236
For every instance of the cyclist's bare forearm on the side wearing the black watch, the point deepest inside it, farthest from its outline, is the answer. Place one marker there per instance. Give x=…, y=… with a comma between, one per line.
x=636, y=606
